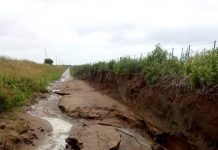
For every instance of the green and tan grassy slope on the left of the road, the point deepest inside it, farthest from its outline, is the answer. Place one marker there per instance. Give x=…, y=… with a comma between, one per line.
x=20, y=79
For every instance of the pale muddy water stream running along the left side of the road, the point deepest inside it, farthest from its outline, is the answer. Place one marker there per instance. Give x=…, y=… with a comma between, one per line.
x=48, y=110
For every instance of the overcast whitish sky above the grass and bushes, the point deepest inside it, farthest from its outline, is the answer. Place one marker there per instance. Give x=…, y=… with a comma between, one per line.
x=84, y=31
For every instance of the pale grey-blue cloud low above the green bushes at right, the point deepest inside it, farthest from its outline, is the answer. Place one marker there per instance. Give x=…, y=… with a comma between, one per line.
x=185, y=35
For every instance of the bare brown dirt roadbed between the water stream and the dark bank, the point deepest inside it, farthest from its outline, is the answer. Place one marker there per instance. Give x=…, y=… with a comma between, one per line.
x=103, y=123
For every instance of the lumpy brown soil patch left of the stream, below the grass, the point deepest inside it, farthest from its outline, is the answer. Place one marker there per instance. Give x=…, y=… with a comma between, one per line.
x=21, y=131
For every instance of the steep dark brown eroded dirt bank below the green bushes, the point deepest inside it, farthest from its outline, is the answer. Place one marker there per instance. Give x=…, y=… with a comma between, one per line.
x=182, y=114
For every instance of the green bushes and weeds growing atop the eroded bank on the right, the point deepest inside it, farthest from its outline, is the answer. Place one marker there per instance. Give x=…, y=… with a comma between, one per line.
x=201, y=69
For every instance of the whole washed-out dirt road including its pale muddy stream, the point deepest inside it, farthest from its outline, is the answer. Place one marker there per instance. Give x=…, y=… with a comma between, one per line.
x=83, y=118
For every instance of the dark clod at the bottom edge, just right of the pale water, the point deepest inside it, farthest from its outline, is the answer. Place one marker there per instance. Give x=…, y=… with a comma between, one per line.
x=73, y=144
